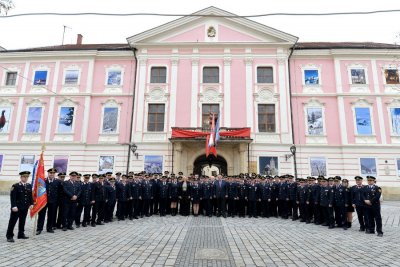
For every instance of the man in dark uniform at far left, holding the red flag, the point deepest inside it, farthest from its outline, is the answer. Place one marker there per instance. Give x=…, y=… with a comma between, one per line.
x=21, y=202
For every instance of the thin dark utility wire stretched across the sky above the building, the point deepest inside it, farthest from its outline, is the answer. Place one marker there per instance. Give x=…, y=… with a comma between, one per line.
x=200, y=15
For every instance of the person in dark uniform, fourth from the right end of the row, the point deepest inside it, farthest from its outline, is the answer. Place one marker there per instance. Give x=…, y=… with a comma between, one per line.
x=340, y=198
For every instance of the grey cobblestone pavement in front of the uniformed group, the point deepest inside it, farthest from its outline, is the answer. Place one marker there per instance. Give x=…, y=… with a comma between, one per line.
x=202, y=241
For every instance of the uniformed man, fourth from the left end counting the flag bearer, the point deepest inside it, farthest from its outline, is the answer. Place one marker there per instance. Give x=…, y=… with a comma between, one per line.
x=72, y=192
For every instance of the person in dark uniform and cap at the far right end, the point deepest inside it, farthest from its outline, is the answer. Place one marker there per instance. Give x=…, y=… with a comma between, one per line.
x=371, y=196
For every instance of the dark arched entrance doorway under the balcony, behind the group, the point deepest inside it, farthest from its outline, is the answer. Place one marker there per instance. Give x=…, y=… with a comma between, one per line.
x=210, y=166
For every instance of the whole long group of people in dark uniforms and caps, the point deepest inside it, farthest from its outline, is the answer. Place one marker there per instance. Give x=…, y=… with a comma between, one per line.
x=96, y=199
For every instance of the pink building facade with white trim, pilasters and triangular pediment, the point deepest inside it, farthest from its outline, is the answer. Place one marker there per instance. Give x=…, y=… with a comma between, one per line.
x=338, y=103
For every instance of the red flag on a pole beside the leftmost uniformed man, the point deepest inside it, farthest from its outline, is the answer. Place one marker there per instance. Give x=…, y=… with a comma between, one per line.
x=39, y=193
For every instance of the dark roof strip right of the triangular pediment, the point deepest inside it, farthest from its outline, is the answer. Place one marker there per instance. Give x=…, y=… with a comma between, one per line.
x=344, y=45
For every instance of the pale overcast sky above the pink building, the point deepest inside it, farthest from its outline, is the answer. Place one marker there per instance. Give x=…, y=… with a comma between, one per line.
x=34, y=31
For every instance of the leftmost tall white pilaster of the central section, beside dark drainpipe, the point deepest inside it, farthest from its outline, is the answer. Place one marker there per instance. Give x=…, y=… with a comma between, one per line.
x=139, y=110
